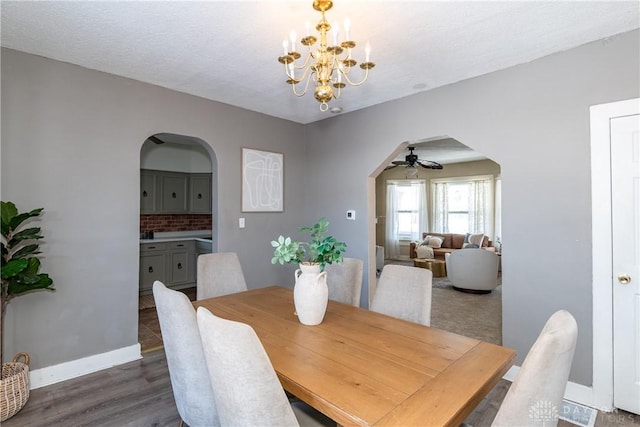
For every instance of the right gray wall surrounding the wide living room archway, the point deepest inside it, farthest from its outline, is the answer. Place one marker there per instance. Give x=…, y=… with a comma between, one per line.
x=533, y=120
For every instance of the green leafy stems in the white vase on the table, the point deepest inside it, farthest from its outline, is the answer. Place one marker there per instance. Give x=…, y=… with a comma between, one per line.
x=321, y=249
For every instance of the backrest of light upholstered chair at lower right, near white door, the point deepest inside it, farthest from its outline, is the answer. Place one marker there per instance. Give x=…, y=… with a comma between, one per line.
x=535, y=397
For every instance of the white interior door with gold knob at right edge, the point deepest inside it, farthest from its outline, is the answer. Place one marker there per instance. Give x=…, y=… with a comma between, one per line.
x=625, y=216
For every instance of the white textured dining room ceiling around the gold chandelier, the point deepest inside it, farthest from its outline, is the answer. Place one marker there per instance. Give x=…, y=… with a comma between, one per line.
x=226, y=50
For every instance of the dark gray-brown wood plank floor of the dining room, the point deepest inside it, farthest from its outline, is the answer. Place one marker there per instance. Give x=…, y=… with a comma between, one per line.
x=139, y=394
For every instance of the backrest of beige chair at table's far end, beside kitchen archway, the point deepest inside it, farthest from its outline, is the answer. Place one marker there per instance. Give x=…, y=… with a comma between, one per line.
x=219, y=274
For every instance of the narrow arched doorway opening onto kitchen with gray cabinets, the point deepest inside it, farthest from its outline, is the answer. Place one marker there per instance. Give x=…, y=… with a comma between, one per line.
x=178, y=220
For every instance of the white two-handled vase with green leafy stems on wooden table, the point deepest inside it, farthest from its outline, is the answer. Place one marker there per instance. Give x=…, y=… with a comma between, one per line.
x=310, y=293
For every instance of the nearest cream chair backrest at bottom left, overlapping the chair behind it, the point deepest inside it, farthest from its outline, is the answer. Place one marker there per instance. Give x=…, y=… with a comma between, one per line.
x=250, y=393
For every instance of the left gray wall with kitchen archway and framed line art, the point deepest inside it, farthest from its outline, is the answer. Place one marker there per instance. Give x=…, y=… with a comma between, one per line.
x=71, y=140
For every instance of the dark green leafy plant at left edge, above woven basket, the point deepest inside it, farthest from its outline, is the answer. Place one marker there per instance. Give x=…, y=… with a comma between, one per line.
x=19, y=264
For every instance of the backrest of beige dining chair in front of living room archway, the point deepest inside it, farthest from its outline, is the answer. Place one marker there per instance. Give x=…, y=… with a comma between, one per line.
x=404, y=292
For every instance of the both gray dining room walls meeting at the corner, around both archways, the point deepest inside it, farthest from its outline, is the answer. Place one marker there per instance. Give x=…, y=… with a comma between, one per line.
x=71, y=141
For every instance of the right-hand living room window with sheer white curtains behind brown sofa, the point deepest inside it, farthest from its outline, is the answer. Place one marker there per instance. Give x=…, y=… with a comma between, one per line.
x=463, y=205
